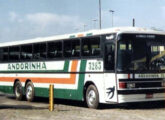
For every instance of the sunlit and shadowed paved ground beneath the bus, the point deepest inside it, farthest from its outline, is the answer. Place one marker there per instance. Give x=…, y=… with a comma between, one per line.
x=10, y=109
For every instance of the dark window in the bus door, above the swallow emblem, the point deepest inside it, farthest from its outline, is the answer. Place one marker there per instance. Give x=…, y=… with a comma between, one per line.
x=109, y=61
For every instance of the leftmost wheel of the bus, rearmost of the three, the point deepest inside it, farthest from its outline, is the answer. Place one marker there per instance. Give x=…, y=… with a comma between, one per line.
x=18, y=91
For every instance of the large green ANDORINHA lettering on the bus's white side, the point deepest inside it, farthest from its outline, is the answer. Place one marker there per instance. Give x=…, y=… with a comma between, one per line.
x=27, y=66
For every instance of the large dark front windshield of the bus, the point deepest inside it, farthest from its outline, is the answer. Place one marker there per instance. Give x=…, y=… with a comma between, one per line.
x=141, y=52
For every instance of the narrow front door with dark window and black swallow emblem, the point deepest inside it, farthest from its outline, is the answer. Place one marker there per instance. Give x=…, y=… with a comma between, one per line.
x=109, y=73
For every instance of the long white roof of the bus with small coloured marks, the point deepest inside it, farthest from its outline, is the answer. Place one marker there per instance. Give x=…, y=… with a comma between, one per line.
x=85, y=34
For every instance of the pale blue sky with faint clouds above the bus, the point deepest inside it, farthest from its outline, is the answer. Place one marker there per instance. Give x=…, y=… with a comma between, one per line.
x=26, y=19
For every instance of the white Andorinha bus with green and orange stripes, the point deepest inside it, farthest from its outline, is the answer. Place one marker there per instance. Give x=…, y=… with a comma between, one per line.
x=109, y=66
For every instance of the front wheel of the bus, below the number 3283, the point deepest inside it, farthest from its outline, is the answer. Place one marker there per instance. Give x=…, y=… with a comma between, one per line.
x=92, y=97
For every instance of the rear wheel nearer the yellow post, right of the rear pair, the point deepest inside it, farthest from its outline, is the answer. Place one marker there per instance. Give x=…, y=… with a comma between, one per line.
x=29, y=92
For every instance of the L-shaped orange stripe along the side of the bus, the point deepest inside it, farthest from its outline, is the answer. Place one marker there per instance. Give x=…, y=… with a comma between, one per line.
x=70, y=80
